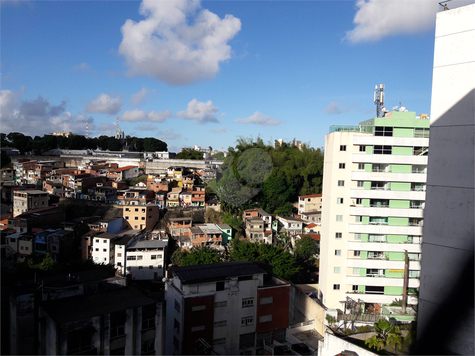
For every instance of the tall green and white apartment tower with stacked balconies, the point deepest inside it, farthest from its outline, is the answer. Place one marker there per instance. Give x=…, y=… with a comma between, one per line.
x=373, y=199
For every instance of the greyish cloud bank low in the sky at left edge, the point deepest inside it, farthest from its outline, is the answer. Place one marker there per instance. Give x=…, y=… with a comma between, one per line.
x=38, y=116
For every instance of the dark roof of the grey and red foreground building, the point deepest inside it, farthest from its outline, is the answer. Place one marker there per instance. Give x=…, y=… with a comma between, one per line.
x=215, y=271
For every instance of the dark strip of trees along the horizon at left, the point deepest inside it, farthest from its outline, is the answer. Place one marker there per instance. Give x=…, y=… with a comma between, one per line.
x=38, y=144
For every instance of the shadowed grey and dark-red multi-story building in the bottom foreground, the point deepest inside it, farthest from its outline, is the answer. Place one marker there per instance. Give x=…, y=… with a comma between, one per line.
x=226, y=308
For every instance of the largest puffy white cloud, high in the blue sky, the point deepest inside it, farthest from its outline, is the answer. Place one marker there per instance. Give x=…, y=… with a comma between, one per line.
x=177, y=43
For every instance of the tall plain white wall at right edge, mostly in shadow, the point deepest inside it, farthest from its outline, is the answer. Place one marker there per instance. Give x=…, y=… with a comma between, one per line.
x=448, y=245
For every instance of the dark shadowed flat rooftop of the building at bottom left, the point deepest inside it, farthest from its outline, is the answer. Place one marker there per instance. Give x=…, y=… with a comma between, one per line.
x=82, y=307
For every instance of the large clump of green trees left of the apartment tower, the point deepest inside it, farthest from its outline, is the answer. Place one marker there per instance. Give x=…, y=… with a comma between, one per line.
x=258, y=175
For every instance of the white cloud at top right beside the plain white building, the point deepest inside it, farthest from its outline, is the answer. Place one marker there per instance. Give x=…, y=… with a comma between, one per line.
x=376, y=19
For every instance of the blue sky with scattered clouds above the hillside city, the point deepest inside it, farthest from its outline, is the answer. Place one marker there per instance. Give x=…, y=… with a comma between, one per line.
x=207, y=72
